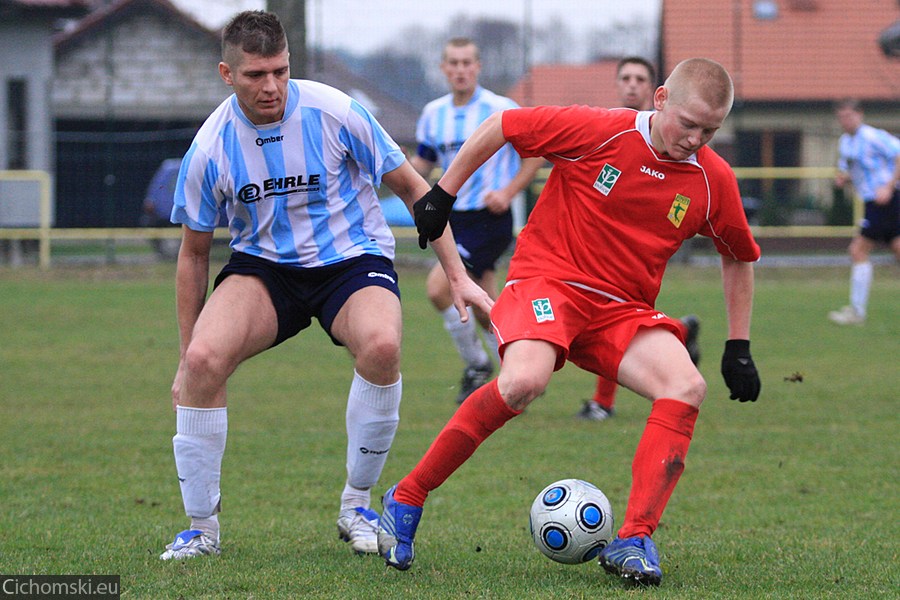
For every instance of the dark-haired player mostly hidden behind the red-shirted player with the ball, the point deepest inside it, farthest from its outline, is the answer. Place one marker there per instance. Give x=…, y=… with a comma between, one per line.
x=635, y=82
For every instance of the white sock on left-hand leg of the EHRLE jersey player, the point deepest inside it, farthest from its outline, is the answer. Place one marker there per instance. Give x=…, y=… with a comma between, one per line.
x=199, y=445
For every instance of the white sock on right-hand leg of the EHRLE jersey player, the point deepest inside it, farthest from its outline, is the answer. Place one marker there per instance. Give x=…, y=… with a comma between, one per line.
x=373, y=413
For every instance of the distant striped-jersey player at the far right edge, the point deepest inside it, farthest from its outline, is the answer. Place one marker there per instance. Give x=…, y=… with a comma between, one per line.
x=870, y=159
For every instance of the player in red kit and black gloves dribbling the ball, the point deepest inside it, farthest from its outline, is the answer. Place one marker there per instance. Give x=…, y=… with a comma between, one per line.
x=625, y=191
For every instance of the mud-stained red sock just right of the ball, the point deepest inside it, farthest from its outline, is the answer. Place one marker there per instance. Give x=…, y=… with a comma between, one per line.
x=658, y=463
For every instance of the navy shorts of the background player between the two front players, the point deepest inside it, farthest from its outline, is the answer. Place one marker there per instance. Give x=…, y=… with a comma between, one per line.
x=481, y=238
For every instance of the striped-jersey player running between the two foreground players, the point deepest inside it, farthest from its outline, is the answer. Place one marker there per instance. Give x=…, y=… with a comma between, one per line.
x=482, y=221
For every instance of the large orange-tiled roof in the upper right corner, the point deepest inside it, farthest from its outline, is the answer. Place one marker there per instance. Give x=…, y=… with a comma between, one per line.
x=795, y=50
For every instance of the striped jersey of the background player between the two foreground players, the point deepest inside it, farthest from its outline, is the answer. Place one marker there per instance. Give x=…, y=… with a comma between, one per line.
x=441, y=131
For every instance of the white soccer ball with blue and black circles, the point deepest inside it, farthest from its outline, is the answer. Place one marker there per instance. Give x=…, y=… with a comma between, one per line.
x=571, y=521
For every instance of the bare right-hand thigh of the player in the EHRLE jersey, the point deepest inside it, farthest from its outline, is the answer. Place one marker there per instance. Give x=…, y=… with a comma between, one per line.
x=370, y=321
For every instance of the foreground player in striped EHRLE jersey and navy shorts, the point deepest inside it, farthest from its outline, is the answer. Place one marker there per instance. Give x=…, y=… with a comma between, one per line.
x=295, y=163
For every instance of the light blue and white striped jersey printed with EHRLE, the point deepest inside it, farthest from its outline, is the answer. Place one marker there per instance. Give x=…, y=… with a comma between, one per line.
x=300, y=191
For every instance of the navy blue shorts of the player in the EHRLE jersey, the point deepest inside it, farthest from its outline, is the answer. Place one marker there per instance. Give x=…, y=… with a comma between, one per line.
x=299, y=294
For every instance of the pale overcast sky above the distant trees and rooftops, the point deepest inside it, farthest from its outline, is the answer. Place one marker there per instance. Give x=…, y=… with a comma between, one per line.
x=365, y=25
